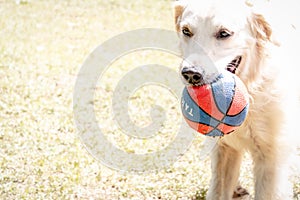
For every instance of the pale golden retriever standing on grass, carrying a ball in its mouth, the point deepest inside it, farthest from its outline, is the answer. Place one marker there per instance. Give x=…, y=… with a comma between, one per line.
x=228, y=35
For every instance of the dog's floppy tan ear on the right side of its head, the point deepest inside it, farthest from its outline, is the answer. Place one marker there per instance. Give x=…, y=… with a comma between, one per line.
x=261, y=29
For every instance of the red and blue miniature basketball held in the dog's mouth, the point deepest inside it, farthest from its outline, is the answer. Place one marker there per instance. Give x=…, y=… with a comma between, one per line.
x=218, y=108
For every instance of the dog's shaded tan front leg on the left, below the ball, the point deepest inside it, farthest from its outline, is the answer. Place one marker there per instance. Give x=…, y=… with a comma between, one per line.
x=226, y=163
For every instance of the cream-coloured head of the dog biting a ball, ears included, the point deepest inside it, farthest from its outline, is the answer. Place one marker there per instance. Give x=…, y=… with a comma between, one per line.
x=218, y=35
